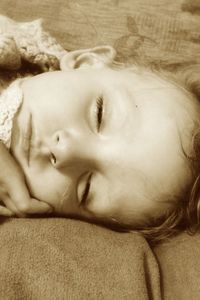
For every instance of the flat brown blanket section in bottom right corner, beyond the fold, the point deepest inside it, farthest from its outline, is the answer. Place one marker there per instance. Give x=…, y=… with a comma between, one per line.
x=180, y=267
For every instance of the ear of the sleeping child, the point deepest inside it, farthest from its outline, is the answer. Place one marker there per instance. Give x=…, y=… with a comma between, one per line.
x=96, y=57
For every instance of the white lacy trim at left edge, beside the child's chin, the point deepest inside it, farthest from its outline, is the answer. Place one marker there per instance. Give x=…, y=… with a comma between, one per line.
x=10, y=101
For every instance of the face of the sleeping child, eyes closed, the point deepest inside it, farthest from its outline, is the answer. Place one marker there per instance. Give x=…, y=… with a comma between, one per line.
x=104, y=143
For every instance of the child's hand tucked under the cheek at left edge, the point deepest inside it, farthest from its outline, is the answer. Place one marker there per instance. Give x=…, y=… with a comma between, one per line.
x=13, y=191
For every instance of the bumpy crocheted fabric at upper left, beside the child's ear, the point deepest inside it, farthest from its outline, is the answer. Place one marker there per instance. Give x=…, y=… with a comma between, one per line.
x=27, y=41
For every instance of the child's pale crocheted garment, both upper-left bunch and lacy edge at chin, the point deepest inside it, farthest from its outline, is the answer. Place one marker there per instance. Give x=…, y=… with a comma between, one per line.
x=21, y=42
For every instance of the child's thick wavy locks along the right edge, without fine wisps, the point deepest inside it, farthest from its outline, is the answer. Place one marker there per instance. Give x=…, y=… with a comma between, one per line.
x=186, y=213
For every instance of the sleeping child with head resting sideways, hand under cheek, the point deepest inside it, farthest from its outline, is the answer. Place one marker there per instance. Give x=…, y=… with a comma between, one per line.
x=103, y=142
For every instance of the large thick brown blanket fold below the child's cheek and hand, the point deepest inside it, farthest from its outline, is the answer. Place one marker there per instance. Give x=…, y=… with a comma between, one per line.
x=66, y=259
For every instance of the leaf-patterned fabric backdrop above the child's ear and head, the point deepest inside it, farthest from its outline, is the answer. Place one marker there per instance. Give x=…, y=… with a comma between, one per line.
x=151, y=29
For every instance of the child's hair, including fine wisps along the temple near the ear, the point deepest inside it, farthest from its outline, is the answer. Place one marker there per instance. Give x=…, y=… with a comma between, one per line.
x=185, y=212
